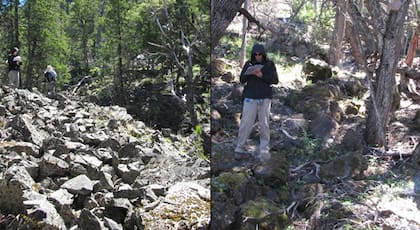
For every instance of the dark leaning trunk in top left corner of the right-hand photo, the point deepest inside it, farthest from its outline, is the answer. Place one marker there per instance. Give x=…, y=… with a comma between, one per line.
x=222, y=14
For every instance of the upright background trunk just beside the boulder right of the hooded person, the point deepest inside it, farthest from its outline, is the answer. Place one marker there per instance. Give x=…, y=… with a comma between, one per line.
x=334, y=55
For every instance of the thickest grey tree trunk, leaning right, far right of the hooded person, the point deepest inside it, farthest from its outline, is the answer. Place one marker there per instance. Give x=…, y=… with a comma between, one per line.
x=384, y=86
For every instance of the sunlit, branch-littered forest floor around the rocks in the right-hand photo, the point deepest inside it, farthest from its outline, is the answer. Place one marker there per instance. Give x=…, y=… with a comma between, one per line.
x=386, y=195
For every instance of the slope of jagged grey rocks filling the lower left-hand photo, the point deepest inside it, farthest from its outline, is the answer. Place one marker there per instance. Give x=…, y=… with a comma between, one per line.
x=67, y=164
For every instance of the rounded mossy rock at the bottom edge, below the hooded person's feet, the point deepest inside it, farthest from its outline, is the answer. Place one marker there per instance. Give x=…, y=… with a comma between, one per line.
x=264, y=213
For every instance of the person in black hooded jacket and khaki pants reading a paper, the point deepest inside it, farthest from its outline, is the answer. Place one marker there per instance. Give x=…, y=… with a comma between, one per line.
x=258, y=74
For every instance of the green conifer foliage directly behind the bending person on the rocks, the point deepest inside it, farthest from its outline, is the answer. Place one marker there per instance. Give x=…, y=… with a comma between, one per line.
x=44, y=41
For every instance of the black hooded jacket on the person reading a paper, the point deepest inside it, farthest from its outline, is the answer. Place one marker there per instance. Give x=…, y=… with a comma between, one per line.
x=259, y=88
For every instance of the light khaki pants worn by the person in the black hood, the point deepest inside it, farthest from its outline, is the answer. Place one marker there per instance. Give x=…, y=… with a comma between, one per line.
x=252, y=108
